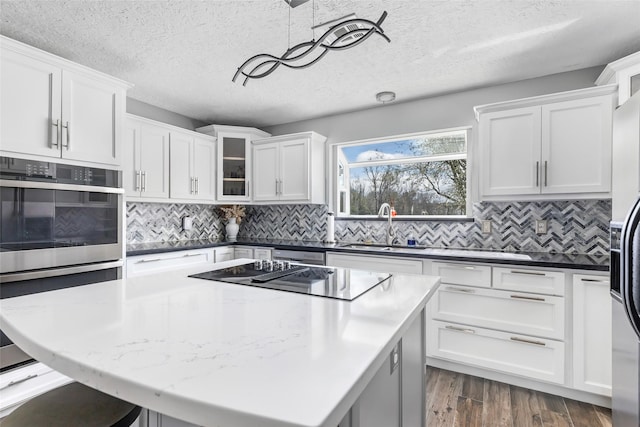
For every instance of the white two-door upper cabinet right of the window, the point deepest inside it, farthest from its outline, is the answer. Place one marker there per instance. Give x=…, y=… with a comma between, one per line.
x=549, y=146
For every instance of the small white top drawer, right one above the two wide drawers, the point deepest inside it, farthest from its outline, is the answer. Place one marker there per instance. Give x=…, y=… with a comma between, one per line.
x=525, y=280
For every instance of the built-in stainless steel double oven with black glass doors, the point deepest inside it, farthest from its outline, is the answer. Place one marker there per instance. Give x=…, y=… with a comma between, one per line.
x=61, y=226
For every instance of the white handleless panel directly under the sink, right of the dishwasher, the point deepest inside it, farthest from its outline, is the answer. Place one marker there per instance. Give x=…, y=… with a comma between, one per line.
x=375, y=263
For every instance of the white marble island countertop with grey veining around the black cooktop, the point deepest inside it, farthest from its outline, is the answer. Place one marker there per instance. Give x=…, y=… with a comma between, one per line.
x=218, y=354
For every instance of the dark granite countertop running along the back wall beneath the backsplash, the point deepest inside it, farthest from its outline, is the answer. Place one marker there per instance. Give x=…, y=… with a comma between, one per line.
x=477, y=255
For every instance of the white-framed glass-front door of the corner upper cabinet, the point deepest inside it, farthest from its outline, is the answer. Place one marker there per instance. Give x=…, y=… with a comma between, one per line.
x=234, y=167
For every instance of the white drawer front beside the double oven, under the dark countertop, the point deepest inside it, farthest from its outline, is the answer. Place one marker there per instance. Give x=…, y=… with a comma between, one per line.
x=149, y=264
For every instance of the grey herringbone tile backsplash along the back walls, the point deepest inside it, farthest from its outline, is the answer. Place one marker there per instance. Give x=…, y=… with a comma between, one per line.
x=573, y=226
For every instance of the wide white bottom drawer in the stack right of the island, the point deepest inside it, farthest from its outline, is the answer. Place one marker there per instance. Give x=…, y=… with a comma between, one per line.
x=522, y=355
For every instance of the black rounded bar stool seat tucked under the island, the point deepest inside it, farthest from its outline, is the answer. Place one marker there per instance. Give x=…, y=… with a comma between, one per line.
x=73, y=405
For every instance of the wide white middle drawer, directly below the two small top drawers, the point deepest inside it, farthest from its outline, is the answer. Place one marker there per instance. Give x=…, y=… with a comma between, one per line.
x=517, y=312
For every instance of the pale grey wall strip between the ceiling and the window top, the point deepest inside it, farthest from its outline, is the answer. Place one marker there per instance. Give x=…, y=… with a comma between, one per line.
x=439, y=112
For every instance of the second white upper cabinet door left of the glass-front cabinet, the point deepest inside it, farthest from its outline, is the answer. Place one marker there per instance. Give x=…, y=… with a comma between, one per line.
x=181, y=176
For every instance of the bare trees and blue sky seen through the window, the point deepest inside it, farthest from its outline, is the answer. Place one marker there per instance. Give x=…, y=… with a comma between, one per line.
x=423, y=175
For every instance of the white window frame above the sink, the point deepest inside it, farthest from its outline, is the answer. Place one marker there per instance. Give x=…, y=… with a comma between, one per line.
x=334, y=191
